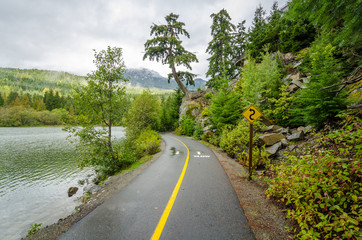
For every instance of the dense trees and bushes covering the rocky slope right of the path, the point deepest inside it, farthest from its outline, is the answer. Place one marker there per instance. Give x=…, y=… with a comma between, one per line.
x=299, y=67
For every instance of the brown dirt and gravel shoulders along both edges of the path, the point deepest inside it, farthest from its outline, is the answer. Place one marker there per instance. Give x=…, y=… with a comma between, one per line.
x=266, y=220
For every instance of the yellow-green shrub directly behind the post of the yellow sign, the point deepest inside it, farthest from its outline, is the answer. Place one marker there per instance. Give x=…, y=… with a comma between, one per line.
x=235, y=142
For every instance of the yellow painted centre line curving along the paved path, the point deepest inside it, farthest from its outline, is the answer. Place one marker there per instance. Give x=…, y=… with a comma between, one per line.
x=161, y=224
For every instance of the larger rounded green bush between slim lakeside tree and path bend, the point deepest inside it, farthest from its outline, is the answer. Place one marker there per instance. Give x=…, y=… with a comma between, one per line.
x=143, y=113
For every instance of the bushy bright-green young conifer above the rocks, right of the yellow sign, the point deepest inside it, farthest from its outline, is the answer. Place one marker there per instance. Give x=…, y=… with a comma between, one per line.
x=313, y=106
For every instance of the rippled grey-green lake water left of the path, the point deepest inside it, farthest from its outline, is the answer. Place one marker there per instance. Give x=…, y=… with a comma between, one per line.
x=37, y=167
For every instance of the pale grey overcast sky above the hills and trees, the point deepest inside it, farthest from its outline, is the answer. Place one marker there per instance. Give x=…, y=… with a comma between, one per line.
x=61, y=35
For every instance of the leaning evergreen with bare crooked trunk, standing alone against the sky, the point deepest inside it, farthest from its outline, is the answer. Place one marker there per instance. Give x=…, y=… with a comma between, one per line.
x=166, y=46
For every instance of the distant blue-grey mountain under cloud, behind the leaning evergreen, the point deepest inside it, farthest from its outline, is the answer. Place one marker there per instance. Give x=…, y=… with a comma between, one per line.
x=142, y=77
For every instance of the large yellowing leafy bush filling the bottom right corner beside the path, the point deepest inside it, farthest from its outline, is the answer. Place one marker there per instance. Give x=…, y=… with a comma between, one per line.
x=323, y=190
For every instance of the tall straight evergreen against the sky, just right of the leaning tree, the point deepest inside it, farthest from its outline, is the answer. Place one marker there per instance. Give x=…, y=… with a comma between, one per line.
x=221, y=49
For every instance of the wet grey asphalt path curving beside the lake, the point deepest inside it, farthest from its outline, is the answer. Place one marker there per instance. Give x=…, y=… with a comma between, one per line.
x=206, y=206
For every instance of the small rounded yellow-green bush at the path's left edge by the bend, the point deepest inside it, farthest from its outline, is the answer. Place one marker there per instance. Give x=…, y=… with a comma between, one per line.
x=148, y=142
